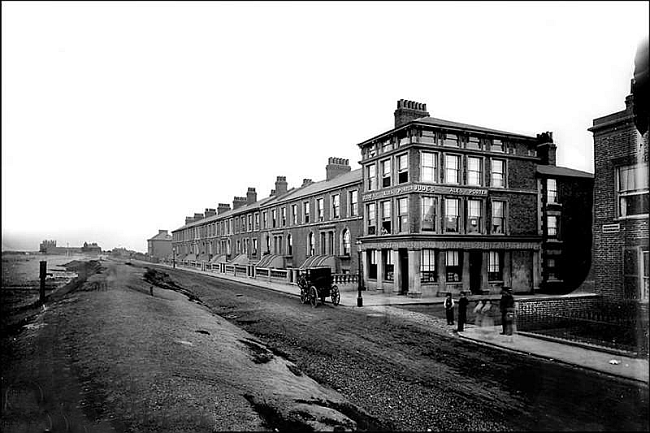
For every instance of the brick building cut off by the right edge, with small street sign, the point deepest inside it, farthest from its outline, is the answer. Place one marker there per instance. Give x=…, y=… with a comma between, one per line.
x=620, y=206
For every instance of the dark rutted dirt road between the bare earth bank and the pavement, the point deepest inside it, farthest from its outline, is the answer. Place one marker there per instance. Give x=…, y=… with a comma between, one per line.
x=419, y=377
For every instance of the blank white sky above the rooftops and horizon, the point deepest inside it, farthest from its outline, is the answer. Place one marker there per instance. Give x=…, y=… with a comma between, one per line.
x=122, y=118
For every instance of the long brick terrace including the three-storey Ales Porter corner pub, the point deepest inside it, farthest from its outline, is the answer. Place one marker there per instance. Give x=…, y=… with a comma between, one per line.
x=436, y=207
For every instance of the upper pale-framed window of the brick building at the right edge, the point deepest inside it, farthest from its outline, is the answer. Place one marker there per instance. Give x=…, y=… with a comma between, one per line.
x=632, y=190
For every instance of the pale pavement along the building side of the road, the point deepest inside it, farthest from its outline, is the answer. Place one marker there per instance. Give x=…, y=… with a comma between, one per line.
x=598, y=359
